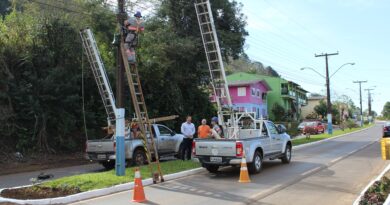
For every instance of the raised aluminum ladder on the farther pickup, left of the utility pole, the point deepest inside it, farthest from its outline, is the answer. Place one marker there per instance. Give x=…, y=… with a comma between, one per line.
x=99, y=72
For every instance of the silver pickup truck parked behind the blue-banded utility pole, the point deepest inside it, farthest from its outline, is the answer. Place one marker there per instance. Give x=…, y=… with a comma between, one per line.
x=103, y=150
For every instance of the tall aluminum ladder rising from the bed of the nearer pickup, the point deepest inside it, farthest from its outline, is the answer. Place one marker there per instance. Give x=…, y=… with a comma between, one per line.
x=215, y=63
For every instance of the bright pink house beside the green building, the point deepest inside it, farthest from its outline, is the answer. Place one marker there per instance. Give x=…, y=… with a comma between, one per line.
x=250, y=96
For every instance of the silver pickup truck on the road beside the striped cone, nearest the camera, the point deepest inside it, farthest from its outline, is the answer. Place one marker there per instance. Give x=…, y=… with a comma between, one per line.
x=259, y=139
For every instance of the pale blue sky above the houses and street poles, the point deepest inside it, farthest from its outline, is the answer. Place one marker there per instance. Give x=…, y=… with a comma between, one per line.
x=287, y=34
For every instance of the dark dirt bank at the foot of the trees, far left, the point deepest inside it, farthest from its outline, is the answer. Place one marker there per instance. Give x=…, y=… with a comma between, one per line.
x=36, y=162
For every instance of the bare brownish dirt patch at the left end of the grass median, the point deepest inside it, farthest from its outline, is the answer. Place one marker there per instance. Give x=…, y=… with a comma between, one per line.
x=39, y=192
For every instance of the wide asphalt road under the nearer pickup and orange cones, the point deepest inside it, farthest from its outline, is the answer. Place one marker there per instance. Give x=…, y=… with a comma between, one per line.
x=332, y=172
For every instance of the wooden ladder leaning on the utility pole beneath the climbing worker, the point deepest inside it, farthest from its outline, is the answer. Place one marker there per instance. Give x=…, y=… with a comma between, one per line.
x=141, y=114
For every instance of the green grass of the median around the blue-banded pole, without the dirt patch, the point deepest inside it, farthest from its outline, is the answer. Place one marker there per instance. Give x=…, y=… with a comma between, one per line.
x=86, y=182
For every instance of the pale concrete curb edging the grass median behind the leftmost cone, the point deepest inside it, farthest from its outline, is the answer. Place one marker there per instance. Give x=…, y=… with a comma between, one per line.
x=97, y=192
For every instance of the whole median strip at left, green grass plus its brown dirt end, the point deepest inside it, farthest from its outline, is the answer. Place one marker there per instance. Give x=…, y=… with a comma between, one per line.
x=91, y=181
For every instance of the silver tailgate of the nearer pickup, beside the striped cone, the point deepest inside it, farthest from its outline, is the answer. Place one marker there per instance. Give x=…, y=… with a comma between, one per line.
x=215, y=148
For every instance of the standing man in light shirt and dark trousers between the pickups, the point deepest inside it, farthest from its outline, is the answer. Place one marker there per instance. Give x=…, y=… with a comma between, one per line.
x=188, y=130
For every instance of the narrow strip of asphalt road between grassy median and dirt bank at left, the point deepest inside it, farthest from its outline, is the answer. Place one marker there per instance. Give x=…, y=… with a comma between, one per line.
x=21, y=179
